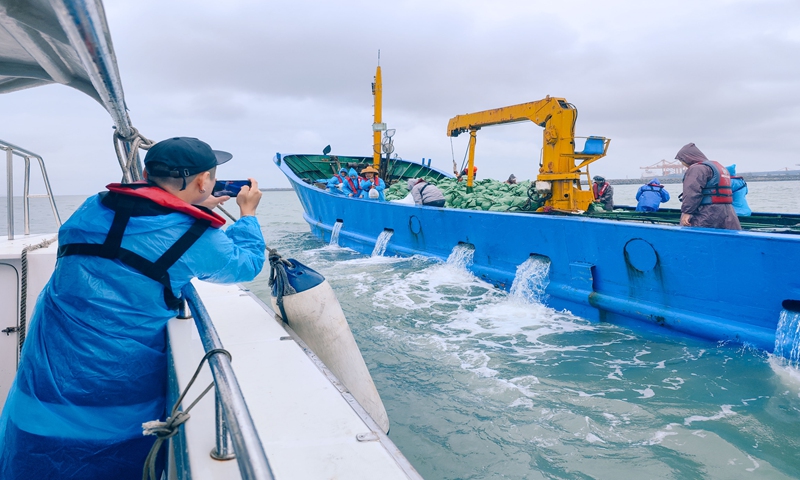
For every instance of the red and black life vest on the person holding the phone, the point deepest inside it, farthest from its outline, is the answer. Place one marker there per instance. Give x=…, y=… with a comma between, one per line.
x=143, y=199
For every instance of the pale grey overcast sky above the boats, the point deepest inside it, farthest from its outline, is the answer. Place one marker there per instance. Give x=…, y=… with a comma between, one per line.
x=260, y=77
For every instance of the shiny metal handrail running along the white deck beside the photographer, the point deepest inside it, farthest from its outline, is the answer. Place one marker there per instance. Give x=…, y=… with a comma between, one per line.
x=252, y=459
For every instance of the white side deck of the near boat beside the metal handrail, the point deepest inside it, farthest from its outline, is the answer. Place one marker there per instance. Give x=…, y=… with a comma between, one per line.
x=307, y=427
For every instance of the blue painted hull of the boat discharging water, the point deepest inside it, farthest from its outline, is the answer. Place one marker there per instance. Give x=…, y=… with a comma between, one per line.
x=714, y=284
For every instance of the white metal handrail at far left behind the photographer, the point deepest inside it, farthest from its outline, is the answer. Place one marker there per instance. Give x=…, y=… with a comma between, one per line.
x=26, y=155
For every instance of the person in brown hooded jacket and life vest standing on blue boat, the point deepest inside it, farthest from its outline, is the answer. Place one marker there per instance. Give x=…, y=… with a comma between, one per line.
x=707, y=198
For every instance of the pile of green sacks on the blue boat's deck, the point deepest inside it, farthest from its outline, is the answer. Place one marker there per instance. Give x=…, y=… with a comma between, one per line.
x=490, y=195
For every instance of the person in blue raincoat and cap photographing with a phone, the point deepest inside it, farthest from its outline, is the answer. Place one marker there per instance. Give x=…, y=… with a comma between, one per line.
x=94, y=364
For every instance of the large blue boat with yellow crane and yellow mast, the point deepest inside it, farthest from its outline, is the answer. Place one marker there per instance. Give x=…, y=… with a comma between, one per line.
x=636, y=268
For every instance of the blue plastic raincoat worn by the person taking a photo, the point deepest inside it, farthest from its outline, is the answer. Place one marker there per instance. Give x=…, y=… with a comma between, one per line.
x=94, y=364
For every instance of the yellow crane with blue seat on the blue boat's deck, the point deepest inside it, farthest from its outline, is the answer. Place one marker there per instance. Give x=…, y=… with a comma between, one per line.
x=558, y=182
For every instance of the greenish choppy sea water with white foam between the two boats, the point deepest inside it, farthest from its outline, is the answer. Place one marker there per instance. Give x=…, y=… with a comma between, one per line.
x=483, y=383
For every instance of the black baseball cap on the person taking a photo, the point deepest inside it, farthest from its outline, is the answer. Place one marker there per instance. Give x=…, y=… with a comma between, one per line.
x=181, y=157
